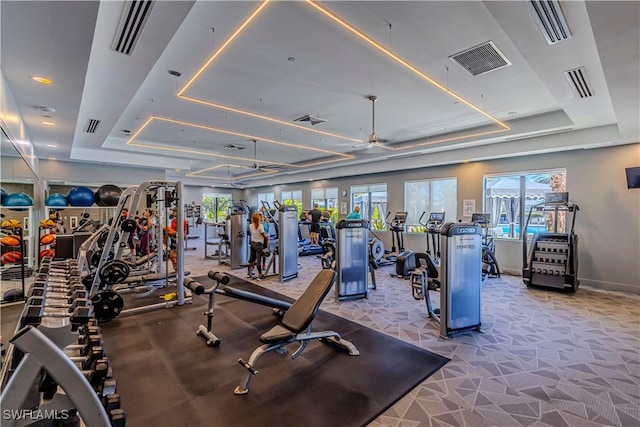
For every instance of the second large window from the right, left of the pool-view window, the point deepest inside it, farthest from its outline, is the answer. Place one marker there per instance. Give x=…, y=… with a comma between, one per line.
x=435, y=195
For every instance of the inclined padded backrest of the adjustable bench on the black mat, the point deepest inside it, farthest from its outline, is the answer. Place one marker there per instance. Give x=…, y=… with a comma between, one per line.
x=301, y=314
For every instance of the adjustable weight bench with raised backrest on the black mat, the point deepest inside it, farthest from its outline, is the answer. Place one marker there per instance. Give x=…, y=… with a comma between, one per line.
x=296, y=327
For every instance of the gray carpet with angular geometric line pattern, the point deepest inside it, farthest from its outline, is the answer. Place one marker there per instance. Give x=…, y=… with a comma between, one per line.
x=543, y=359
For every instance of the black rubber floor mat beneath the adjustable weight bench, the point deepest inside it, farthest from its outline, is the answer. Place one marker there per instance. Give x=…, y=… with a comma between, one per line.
x=167, y=376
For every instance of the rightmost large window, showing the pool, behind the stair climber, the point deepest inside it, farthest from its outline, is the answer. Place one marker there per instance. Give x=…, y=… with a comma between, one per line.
x=508, y=199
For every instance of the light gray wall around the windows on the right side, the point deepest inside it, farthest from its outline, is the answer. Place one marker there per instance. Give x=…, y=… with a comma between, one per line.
x=608, y=223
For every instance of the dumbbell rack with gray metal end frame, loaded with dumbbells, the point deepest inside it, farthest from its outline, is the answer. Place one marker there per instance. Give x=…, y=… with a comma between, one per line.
x=56, y=363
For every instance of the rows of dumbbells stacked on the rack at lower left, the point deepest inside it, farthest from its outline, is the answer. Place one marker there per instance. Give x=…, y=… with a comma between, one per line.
x=58, y=299
